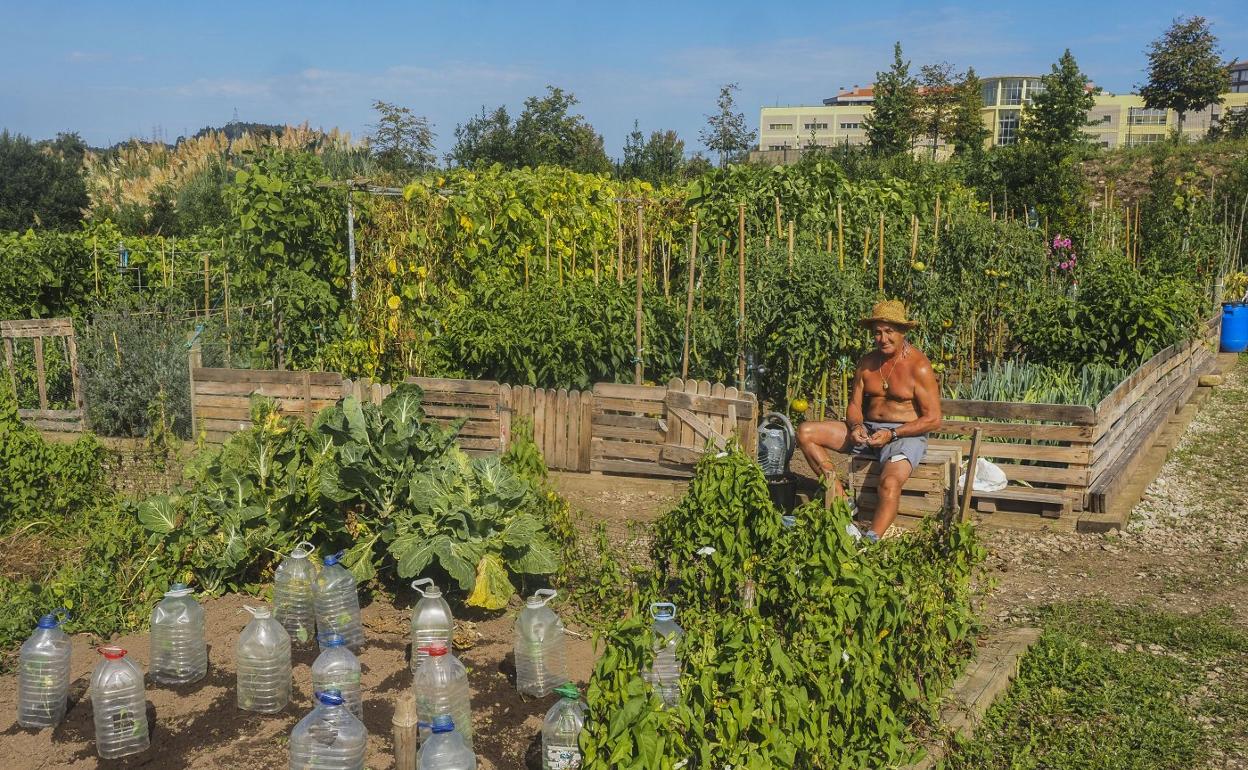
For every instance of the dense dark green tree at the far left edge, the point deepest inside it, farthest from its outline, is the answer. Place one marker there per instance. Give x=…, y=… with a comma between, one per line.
x=42, y=184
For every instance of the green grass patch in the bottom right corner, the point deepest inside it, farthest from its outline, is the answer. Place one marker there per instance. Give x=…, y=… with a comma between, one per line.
x=1120, y=688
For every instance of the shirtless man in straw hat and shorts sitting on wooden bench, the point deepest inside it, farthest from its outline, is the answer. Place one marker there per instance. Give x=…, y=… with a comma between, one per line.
x=894, y=404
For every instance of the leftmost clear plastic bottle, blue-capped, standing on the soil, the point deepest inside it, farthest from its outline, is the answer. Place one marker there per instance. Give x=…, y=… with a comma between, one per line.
x=44, y=676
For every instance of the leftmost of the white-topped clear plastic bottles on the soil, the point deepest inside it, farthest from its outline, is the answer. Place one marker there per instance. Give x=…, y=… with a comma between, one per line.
x=264, y=661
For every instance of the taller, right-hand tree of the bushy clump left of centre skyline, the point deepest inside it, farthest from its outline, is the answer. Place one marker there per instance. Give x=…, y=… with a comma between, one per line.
x=548, y=134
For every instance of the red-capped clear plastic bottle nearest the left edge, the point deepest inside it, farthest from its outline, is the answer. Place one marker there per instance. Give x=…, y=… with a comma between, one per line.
x=119, y=706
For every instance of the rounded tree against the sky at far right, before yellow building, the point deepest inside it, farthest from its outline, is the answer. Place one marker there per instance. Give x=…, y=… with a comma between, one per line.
x=1185, y=69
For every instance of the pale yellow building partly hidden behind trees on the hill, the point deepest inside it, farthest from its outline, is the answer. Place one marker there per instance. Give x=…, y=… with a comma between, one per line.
x=1115, y=120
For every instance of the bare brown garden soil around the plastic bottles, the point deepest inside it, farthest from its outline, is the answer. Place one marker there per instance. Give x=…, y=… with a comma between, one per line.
x=200, y=726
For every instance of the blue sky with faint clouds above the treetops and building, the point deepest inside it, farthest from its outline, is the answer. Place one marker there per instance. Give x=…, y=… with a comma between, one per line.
x=115, y=71
